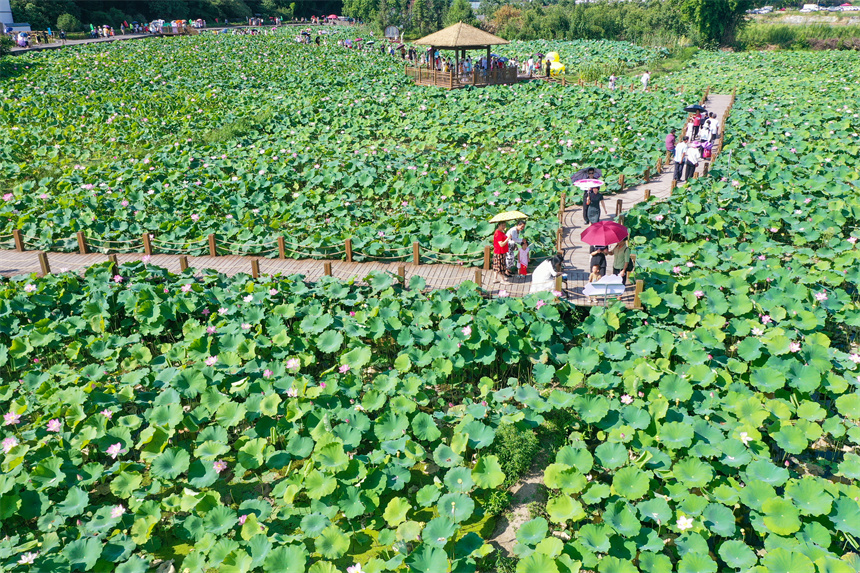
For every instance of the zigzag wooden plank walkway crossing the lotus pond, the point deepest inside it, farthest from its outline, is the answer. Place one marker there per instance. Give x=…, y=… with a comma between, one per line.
x=437, y=276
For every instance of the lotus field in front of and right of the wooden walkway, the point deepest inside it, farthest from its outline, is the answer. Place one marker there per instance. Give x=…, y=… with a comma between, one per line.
x=279, y=426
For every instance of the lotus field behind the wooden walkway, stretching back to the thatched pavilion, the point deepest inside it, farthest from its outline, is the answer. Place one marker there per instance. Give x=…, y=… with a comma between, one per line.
x=253, y=137
